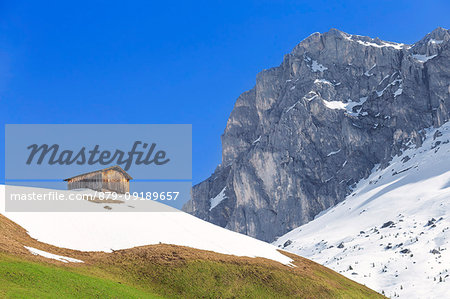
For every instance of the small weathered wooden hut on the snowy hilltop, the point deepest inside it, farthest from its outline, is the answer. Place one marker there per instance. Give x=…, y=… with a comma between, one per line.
x=111, y=179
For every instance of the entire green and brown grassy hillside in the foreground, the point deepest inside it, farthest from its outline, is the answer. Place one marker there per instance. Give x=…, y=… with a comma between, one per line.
x=160, y=271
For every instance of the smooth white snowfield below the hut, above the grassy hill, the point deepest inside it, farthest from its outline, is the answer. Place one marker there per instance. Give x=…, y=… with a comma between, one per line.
x=103, y=231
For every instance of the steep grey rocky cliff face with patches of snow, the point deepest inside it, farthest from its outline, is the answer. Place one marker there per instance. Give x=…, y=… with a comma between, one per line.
x=311, y=128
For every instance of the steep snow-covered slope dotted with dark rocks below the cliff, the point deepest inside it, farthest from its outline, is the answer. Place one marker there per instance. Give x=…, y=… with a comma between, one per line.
x=392, y=233
